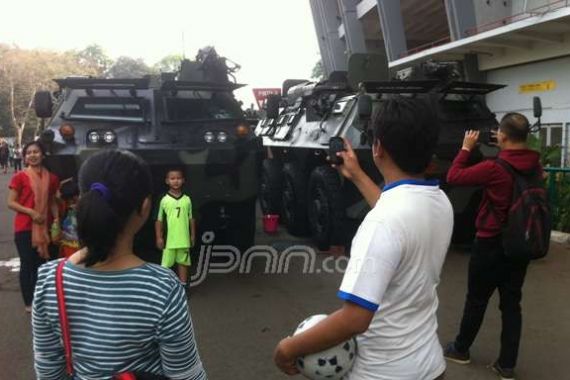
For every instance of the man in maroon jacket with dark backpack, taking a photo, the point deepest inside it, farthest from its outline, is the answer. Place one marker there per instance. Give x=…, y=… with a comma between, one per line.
x=513, y=227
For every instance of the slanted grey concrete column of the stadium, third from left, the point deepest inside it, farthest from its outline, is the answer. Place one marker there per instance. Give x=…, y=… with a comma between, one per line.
x=392, y=24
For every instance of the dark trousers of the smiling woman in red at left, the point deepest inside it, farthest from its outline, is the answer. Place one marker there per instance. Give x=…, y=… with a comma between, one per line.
x=30, y=261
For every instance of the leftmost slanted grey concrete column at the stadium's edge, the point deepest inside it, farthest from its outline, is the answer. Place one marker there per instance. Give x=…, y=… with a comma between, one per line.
x=326, y=20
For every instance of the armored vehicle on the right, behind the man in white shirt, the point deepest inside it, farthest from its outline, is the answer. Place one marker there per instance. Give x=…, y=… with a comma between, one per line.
x=299, y=184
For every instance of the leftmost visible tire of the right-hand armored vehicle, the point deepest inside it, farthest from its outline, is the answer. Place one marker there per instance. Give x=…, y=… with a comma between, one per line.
x=271, y=187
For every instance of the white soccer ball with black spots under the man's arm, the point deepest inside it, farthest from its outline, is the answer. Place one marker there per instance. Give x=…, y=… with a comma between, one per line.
x=330, y=364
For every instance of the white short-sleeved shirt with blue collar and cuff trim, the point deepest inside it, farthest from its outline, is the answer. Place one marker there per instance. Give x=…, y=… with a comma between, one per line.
x=394, y=269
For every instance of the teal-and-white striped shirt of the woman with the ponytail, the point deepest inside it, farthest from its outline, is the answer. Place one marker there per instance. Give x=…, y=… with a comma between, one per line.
x=130, y=320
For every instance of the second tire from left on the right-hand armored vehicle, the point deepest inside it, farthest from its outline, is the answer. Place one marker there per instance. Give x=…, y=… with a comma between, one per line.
x=294, y=200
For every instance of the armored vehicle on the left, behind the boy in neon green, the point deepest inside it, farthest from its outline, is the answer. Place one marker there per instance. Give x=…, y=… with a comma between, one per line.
x=188, y=119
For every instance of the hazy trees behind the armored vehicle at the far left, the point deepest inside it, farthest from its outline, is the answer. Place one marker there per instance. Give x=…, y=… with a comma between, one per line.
x=23, y=72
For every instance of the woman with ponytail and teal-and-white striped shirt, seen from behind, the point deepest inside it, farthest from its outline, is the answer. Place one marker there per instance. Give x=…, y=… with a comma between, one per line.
x=124, y=314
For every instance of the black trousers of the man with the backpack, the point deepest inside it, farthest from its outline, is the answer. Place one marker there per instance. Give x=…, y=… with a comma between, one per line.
x=490, y=269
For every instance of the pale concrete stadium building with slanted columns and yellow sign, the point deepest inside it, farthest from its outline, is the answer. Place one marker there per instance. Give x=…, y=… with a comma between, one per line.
x=524, y=44
